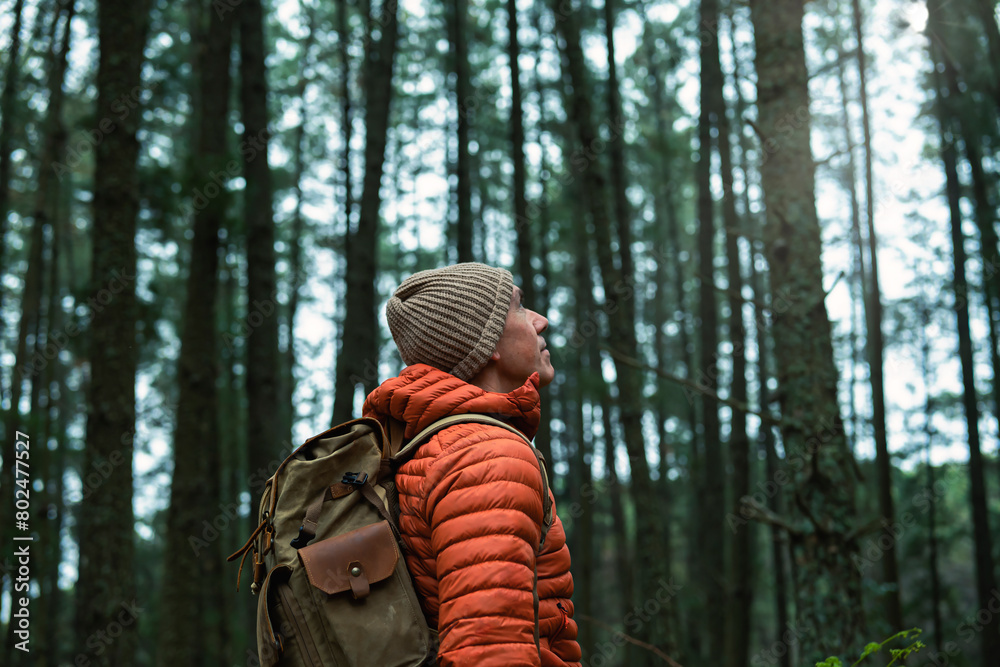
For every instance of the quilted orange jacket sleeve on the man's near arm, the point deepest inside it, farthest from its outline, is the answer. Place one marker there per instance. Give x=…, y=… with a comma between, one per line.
x=485, y=515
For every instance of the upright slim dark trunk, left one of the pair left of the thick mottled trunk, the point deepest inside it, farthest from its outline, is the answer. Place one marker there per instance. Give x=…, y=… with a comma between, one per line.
x=712, y=505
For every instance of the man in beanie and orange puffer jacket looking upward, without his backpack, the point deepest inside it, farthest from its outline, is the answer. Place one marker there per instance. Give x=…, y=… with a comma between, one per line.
x=470, y=498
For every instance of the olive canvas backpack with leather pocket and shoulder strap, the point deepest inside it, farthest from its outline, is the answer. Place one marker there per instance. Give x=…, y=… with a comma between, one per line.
x=328, y=565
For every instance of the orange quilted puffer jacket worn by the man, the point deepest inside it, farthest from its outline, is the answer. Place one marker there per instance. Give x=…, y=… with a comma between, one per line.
x=470, y=515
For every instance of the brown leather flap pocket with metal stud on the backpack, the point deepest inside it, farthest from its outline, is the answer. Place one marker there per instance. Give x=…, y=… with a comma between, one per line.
x=352, y=561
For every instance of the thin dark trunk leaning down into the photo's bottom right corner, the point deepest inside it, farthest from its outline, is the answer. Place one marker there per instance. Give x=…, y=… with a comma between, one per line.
x=985, y=578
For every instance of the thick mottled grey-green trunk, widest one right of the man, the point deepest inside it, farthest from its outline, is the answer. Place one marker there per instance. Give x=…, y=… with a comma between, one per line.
x=829, y=611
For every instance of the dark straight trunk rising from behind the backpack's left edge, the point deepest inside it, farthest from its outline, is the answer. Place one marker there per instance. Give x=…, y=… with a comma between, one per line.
x=264, y=433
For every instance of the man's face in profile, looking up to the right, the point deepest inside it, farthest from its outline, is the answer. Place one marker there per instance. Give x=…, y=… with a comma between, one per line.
x=521, y=350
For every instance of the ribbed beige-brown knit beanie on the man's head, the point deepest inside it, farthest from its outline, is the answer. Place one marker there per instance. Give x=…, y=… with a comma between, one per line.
x=451, y=318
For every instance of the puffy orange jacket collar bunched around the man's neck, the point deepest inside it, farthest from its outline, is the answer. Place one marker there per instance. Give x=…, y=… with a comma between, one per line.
x=422, y=394
